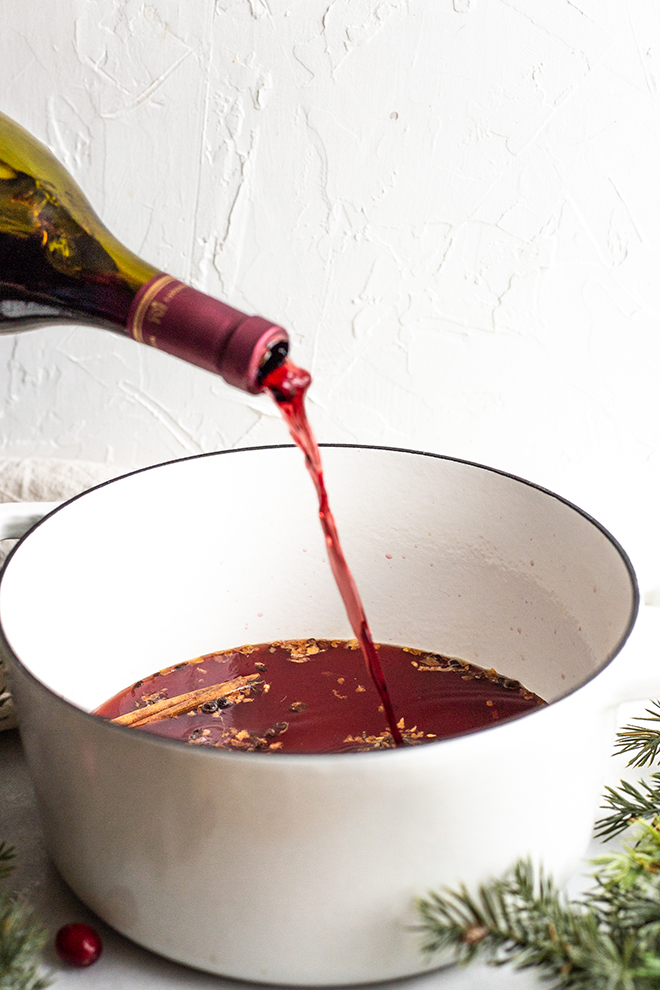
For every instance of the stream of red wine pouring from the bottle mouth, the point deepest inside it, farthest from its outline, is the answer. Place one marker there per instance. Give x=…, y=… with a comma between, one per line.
x=287, y=385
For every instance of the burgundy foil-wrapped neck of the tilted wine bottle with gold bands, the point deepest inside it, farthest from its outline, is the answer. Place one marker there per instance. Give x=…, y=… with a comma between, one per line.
x=175, y=318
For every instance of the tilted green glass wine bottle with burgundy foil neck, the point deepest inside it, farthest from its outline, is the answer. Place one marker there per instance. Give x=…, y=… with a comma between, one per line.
x=58, y=263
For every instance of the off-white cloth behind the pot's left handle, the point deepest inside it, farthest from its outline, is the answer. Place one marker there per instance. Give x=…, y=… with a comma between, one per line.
x=42, y=480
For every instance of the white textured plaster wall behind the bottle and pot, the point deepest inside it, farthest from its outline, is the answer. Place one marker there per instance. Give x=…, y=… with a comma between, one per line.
x=453, y=205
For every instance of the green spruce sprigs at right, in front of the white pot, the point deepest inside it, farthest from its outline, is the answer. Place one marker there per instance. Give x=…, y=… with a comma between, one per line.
x=608, y=940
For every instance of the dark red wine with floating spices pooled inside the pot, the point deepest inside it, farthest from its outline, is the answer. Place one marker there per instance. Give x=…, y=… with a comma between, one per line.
x=310, y=696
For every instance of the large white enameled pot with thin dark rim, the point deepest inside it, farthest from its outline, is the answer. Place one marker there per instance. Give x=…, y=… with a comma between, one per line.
x=305, y=869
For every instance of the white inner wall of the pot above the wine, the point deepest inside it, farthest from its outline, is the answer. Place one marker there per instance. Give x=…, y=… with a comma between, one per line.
x=212, y=552
